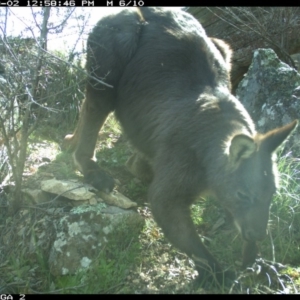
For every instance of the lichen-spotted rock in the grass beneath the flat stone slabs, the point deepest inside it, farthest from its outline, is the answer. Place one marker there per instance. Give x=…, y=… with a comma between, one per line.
x=81, y=235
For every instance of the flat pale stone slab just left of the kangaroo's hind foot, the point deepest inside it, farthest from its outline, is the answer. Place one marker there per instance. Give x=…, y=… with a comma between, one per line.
x=68, y=189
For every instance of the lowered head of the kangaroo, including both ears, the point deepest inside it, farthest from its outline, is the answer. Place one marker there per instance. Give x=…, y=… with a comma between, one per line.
x=247, y=190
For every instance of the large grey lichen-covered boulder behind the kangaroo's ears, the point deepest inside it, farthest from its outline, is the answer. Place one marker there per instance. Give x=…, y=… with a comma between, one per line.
x=270, y=93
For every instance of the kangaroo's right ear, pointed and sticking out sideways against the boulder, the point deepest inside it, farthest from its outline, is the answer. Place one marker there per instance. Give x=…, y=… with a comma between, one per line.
x=274, y=138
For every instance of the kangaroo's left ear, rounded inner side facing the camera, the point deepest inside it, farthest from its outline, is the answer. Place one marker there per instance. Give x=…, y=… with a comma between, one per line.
x=241, y=147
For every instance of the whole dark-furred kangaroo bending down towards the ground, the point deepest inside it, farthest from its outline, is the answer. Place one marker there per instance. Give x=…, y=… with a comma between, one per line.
x=172, y=96
